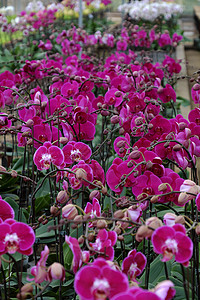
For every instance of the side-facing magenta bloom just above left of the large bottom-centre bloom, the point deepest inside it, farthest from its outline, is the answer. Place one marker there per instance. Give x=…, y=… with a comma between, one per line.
x=79, y=256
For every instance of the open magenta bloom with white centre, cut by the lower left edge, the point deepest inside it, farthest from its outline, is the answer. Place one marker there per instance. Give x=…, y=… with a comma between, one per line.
x=16, y=237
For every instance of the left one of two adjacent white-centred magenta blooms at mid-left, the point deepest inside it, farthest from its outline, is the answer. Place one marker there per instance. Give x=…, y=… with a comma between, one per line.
x=47, y=154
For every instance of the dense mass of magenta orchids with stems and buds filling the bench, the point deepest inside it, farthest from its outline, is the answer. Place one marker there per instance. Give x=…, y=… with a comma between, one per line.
x=103, y=181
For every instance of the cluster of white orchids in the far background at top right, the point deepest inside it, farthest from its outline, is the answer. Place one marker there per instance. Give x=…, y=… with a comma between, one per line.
x=151, y=10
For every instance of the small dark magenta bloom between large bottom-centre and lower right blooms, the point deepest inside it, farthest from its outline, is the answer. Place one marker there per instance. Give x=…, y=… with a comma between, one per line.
x=134, y=264
